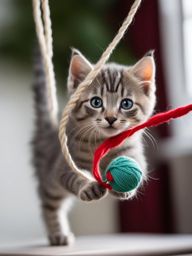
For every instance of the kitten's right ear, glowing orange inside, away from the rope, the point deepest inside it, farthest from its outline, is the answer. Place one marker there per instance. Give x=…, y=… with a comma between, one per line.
x=144, y=71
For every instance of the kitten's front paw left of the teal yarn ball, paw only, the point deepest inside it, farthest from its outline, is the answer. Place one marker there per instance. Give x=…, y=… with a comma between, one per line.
x=92, y=191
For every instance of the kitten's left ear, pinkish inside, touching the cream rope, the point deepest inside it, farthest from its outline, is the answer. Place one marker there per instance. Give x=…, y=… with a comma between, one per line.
x=78, y=70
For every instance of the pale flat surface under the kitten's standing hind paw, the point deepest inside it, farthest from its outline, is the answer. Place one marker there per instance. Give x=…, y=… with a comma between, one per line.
x=111, y=245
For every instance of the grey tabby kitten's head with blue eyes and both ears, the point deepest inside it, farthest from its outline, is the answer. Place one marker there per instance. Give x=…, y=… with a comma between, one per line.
x=117, y=100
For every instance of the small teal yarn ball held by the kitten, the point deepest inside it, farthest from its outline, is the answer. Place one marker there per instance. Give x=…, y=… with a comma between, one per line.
x=123, y=174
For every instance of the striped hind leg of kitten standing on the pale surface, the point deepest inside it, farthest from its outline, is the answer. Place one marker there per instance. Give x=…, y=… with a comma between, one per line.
x=55, y=210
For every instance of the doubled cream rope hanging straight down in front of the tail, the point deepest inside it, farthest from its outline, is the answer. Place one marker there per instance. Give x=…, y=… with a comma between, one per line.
x=44, y=35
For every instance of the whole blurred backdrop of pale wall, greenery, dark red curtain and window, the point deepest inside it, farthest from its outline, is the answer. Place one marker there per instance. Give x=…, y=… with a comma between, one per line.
x=164, y=204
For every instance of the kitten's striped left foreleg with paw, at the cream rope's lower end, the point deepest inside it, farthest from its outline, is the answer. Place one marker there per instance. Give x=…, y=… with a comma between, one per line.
x=85, y=189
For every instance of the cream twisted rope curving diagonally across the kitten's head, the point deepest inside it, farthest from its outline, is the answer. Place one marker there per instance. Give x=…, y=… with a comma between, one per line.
x=88, y=80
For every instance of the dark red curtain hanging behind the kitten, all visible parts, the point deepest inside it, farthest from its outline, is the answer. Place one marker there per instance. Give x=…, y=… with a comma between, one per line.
x=152, y=210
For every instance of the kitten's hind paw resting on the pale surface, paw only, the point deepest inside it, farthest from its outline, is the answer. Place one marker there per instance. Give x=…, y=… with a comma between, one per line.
x=61, y=239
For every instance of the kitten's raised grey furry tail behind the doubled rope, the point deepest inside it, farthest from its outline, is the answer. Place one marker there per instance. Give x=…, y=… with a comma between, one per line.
x=44, y=119
